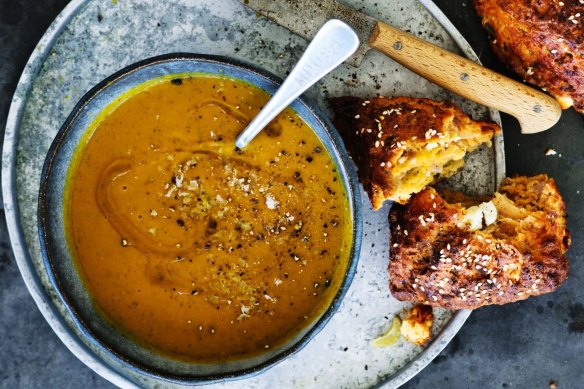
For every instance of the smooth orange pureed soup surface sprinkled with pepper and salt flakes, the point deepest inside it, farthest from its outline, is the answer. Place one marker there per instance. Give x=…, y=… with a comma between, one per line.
x=193, y=248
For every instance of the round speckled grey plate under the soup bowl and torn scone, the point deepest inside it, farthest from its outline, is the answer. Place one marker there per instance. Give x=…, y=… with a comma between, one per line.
x=92, y=39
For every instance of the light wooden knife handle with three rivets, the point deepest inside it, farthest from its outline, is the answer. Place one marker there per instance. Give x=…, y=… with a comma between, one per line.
x=535, y=111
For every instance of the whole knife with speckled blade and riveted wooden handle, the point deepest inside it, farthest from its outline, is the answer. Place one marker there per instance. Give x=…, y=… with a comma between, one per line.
x=534, y=110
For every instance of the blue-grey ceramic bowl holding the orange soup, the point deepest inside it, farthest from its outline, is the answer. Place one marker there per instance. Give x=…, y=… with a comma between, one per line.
x=98, y=334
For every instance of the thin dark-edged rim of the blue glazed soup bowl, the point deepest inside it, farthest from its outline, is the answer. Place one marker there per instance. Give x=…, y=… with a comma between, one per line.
x=347, y=171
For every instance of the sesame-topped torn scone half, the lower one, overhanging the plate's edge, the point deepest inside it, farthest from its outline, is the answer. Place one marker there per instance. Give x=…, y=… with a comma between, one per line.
x=436, y=259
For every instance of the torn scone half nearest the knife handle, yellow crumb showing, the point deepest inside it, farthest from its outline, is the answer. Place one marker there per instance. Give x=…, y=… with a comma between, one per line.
x=402, y=144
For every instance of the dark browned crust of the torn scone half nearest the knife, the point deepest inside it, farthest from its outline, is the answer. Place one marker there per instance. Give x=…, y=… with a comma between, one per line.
x=377, y=131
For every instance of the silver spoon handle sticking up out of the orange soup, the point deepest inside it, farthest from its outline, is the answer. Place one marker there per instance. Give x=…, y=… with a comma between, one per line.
x=331, y=46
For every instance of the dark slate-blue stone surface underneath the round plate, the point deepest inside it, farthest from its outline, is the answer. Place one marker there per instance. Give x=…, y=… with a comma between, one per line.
x=526, y=344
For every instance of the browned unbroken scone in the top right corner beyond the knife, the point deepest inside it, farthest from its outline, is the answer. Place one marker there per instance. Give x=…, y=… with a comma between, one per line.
x=542, y=41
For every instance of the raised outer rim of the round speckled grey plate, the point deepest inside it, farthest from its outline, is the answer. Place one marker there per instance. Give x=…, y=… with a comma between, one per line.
x=29, y=272
